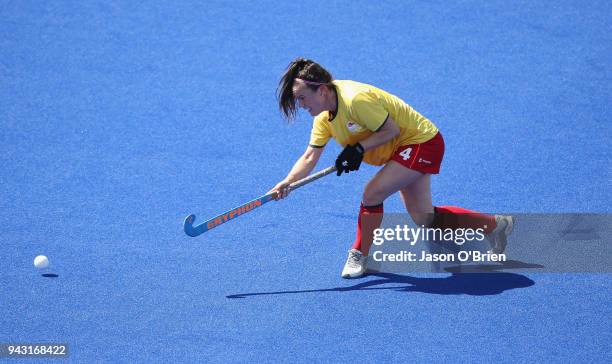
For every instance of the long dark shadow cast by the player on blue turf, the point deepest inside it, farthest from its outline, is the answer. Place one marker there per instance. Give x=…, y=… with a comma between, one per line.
x=474, y=284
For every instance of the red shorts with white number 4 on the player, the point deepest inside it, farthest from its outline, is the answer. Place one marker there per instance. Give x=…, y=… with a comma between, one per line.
x=425, y=157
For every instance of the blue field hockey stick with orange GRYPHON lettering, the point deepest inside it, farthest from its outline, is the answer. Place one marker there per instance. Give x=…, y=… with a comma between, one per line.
x=247, y=207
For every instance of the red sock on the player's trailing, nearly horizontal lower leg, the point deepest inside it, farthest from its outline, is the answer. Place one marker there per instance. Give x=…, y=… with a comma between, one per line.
x=456, y=217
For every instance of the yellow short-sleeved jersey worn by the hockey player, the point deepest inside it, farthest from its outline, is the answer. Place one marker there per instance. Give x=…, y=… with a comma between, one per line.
x=362, y=110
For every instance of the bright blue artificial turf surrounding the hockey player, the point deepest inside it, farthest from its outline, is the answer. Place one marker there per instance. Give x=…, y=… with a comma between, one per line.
x=119, y=118
